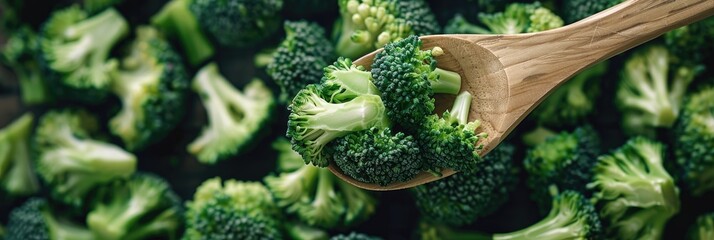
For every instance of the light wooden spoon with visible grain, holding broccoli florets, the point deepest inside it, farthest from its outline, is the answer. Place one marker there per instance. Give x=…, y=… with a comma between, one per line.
x=509, y=75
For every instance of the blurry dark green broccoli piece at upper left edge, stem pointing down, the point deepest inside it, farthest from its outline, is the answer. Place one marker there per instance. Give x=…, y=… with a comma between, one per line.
x=20, y=53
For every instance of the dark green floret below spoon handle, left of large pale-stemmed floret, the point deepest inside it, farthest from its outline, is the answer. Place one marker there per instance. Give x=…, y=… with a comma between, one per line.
x=564, y=161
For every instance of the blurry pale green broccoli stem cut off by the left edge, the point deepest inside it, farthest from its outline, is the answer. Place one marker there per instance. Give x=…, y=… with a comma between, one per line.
x=17, y=177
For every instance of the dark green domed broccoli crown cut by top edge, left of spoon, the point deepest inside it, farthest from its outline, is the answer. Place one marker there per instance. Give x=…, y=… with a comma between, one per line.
x=238, y=23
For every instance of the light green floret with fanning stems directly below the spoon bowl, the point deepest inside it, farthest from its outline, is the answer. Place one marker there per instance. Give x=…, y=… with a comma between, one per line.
x=316, y=196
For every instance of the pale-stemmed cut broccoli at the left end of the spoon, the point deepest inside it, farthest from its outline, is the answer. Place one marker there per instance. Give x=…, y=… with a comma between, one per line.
x=345, y=102
